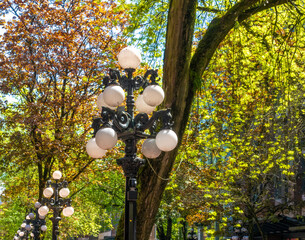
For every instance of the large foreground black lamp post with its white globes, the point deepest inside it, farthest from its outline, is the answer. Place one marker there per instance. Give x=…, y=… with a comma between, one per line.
x=119, y=122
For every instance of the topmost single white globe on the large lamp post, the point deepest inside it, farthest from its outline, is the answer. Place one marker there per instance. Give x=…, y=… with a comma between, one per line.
x=129, y=57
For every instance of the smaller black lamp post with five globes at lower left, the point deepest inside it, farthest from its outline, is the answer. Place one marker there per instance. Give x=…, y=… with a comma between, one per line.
x=55, y=198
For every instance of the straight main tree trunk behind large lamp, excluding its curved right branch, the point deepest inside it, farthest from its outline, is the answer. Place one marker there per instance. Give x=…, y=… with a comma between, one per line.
x=179, y=95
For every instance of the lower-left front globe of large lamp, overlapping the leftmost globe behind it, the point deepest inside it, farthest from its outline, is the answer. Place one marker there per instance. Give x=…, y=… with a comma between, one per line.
x=106, y=138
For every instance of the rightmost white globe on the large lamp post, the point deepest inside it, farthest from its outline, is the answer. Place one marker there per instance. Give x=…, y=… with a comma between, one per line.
x=166, y=140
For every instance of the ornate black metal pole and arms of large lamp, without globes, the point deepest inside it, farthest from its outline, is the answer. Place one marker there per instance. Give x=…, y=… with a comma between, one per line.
x=130, y=129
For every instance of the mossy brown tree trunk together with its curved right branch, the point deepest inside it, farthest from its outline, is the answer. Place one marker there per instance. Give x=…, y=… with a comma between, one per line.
x=181, y=79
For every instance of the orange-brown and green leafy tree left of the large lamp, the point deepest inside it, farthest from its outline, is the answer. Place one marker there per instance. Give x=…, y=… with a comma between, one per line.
x=52, y=55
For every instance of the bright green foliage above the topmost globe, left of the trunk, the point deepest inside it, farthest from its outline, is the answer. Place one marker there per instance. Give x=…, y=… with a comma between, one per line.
x=147, y=28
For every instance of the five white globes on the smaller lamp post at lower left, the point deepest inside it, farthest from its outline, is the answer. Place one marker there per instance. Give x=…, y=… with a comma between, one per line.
x=63, y=193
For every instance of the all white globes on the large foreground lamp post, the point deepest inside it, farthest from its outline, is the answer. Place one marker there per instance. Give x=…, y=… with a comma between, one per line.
x=113, y=96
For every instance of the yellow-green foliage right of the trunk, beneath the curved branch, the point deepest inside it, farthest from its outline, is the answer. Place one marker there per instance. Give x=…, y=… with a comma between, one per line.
x=245, y=133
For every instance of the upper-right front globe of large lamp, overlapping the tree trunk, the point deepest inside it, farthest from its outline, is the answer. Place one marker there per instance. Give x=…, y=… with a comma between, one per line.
x=153, y=95
